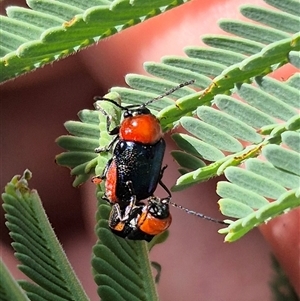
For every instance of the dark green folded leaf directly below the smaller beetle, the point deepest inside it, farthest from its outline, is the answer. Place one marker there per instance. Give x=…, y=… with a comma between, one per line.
x=121, y=267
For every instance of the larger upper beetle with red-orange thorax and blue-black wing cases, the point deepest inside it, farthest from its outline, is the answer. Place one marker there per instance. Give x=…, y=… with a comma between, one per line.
x=138, y=151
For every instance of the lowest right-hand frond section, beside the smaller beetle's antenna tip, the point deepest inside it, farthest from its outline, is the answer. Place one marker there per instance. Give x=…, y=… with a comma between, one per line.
x=250, y=186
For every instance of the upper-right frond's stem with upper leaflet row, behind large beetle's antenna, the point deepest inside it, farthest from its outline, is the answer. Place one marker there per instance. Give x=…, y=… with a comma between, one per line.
x=230, y=60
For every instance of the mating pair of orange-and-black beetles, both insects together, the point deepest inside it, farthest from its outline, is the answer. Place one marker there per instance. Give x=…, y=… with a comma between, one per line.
x=134, y=171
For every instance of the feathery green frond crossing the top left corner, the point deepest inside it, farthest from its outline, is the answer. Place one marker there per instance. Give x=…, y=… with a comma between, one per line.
x=50, y=30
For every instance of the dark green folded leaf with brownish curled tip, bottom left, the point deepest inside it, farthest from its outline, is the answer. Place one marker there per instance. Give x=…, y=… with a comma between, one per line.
x=36, y=246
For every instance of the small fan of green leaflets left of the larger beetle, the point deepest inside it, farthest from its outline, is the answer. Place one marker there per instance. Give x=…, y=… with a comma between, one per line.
x=88, y=134
